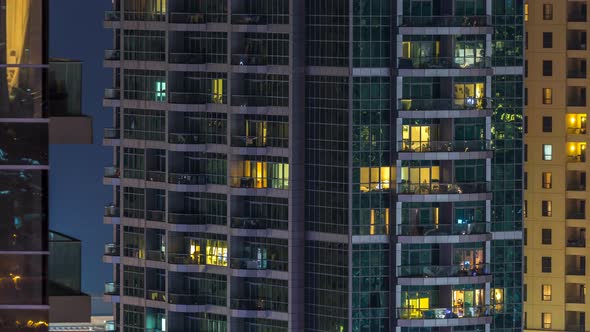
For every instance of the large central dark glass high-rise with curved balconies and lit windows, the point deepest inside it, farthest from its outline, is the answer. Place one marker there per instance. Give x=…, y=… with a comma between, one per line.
x=318, y=165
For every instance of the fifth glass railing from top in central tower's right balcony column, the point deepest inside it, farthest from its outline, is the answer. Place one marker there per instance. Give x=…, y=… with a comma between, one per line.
x=441, y=188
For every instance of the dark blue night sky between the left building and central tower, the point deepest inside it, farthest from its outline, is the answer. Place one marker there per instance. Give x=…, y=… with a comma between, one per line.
x=77, y=196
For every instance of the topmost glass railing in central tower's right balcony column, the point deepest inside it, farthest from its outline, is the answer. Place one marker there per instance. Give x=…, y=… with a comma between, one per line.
x=444, y=21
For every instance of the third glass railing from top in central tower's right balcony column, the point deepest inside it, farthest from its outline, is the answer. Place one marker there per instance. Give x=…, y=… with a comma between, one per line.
x=413, y=104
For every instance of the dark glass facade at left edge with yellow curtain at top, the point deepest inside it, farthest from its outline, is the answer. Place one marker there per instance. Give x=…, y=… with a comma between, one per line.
x=24, y=163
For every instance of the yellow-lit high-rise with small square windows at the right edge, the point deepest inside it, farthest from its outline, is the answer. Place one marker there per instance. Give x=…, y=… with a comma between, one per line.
x=556, y=193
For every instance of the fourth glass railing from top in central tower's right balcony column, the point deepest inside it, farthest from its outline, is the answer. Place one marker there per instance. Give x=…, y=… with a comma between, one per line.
x=444, y=146
